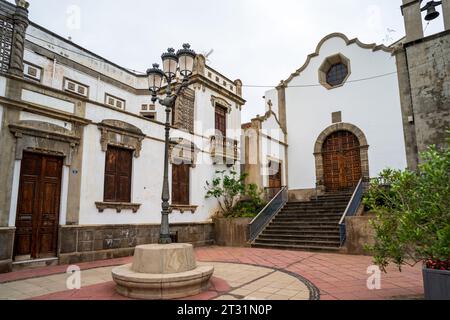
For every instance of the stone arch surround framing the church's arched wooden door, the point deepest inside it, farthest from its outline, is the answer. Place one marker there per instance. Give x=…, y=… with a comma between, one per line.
x=319, y=156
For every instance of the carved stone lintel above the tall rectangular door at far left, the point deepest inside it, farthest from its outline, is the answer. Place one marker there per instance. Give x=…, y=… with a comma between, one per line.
x=45, y=138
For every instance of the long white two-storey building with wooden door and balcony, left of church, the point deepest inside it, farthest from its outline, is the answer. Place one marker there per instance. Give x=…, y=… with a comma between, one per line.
x=83, y=151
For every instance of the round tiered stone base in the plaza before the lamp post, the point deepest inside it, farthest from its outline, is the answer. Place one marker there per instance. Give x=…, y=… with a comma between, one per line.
x=162, y=272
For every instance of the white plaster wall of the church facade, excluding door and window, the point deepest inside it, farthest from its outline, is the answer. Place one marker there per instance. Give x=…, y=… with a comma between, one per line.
x=373, y=106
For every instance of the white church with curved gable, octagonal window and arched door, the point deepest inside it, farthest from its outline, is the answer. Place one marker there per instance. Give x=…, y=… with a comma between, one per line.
x=342, y=115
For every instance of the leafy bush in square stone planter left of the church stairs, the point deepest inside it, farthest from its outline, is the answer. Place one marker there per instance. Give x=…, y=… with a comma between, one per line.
x=238, y=205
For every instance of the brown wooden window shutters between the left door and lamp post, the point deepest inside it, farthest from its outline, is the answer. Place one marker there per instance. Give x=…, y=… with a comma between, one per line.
x=118, y=169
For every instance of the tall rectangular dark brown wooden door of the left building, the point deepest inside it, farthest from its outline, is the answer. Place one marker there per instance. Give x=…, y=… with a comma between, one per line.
x=38, y=206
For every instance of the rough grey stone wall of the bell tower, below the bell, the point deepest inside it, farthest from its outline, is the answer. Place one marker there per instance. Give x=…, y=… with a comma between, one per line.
x=428, y=105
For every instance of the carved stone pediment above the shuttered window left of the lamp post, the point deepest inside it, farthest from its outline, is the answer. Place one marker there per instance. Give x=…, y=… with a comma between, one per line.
x=121, y=134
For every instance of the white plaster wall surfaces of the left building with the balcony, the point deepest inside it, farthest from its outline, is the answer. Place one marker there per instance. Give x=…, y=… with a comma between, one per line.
x=148, y=168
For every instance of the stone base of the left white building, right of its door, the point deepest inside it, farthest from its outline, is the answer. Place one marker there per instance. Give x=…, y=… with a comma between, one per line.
x=90, y=243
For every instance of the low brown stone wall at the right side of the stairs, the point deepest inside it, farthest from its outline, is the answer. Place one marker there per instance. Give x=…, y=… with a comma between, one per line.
x=359, y=233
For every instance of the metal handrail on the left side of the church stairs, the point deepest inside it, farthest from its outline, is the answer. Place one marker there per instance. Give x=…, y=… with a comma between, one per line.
x=267, y=213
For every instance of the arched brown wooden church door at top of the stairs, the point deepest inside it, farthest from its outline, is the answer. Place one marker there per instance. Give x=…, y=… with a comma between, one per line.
x=341, y=161
